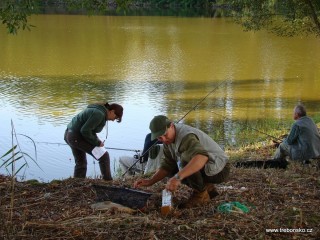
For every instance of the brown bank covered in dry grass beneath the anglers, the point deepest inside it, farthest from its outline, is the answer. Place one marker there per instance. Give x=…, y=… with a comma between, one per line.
x=286, y=199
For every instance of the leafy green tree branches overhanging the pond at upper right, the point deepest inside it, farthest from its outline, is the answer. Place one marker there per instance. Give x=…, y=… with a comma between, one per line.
x=283, y=17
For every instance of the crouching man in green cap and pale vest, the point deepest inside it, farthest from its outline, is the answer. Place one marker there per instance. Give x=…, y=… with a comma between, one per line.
x=202, y=162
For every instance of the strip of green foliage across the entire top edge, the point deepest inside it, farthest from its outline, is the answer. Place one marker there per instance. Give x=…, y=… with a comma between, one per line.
x=284, y=18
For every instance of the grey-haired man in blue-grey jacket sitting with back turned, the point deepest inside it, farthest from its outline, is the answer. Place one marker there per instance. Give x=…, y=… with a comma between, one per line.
x=303, y=141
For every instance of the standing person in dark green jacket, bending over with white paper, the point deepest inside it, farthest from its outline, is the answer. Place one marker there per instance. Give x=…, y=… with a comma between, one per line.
x=81, y=136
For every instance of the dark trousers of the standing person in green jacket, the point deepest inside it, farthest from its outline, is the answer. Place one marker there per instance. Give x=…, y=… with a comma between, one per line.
x=80, y=147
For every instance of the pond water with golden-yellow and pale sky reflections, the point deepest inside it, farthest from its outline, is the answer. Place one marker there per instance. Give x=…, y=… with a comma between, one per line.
x=150, y=65
